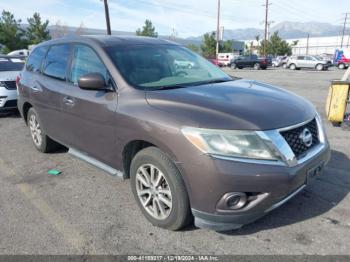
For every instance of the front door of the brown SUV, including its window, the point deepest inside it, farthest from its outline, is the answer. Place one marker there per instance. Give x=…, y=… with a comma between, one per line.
x=90, y=115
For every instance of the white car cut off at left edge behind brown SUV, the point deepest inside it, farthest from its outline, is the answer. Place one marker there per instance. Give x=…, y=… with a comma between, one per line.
x=9, y=70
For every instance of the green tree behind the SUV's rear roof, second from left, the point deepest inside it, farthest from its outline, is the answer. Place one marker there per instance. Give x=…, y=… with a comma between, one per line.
x=37, y=30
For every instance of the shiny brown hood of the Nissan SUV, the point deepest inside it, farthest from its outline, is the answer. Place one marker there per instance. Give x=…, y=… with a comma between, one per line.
x=239, y=104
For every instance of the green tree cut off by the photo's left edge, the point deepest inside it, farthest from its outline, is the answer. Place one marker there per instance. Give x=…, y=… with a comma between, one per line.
x=11, y=35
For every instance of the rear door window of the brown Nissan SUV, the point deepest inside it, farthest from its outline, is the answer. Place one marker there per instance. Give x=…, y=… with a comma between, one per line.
x=56, y=61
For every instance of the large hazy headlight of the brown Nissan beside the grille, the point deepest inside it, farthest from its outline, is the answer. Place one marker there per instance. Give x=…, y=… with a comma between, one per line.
x=231, y=143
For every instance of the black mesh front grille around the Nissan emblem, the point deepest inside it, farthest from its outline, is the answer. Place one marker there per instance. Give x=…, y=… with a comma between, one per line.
x=297, y=145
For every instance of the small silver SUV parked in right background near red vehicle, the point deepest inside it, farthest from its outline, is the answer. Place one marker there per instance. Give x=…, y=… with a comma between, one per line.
x=307, y=61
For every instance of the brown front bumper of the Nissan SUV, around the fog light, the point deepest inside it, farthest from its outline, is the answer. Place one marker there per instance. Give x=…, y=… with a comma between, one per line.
x=280, y=184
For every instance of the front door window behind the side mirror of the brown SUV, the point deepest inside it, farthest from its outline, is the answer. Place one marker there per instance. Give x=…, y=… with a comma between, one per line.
x=86, y=61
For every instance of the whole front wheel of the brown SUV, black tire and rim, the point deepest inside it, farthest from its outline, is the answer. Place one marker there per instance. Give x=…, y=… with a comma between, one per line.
x=159, y=190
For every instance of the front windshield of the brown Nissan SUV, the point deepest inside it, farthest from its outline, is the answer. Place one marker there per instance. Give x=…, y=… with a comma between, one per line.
x=161, y=66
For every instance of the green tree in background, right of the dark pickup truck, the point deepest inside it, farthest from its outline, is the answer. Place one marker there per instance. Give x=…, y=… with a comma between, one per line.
x=276, y=46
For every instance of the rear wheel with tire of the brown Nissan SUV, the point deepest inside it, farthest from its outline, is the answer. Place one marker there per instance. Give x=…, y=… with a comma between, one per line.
x=41, y=141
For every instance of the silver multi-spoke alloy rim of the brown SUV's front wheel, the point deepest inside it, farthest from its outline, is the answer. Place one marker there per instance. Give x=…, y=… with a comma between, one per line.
x=153, y=191
